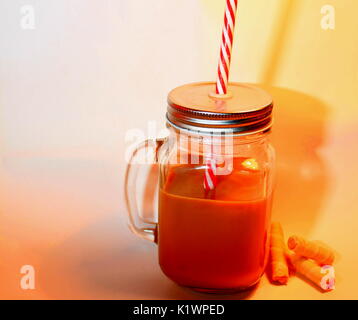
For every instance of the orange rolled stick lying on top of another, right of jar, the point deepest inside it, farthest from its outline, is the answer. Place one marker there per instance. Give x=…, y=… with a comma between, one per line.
x=311, y=249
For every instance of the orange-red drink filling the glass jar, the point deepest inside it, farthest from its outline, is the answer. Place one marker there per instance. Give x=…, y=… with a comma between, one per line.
x=214, y=239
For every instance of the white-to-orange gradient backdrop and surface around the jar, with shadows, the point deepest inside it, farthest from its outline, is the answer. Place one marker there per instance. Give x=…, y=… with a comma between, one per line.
x=91, y=70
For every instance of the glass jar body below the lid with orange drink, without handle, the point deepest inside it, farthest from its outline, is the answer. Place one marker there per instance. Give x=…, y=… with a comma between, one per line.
x=215, y=240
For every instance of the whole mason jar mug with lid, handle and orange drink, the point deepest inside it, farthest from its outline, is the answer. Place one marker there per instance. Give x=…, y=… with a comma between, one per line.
x=212, y=239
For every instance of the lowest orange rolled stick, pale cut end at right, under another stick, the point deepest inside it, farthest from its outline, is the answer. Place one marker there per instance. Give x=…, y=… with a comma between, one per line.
x=323, y=277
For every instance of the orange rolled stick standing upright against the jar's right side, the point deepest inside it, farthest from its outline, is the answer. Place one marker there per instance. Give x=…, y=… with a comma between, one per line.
x=280, y=272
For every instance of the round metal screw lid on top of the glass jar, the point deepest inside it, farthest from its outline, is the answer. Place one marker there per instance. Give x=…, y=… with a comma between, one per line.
x=246, y=109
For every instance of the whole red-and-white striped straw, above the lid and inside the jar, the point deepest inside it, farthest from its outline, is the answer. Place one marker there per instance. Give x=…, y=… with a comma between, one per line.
x=210, y=180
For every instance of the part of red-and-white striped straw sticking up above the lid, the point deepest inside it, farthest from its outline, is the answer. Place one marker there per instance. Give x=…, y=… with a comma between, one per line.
x=226, y=47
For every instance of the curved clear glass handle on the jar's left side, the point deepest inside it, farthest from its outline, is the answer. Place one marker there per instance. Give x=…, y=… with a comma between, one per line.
x=136, y=223
